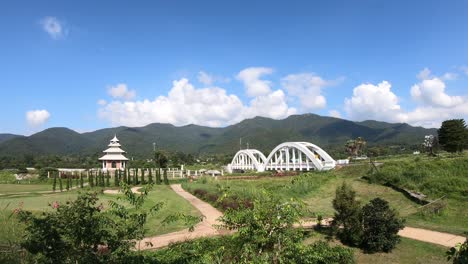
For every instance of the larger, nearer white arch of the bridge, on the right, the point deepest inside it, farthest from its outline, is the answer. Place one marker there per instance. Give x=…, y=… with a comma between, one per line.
x=299, y=156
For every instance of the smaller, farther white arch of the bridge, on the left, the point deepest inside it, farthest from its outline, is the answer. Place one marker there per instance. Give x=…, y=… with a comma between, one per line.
x=248, y=159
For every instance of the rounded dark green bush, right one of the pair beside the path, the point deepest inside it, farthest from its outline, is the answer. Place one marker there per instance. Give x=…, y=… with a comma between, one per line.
x=380, y=227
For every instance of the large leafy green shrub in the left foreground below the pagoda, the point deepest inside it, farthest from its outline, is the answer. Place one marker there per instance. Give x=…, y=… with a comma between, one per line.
x=80, y=231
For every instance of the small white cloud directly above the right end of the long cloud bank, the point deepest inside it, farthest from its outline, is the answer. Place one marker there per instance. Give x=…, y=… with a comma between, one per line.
x=252, y=82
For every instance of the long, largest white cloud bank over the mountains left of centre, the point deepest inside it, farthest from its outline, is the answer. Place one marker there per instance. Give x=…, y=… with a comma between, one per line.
x=186, y=104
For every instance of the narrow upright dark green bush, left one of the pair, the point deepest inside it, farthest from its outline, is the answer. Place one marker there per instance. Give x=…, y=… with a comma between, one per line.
x=347, y=215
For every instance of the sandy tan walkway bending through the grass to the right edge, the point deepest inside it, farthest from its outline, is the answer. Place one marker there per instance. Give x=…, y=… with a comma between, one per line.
x=206, y=227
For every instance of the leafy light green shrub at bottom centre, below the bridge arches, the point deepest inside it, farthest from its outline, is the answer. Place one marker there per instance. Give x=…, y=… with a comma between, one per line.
x=264, y=231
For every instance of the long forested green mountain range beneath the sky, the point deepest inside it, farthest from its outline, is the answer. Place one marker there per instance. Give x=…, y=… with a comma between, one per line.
x=259, y=133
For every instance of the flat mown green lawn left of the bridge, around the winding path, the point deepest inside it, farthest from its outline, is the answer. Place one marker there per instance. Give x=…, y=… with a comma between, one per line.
x=11, y=230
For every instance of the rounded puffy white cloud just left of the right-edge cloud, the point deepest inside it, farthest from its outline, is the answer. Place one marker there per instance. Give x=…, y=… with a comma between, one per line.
x=376, y=102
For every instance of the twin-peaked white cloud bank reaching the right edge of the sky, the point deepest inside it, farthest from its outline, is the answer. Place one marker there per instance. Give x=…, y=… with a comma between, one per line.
x=380, y=103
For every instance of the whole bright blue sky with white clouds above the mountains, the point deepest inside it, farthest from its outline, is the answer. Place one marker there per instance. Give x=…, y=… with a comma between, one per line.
x=93, y=64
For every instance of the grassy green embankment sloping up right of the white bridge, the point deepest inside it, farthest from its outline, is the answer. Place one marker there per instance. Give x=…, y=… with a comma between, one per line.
x=435, y=177
